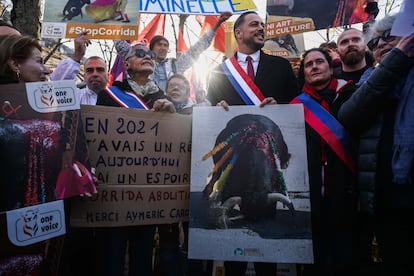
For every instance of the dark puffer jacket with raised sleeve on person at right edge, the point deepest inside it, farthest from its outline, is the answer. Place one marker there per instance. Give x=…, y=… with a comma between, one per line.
x=370, y=114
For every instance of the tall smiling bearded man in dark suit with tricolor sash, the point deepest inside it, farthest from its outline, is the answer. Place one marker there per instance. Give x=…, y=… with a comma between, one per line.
x=229, y=84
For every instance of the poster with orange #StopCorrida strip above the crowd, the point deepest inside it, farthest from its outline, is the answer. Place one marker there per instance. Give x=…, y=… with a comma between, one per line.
x=103, y=19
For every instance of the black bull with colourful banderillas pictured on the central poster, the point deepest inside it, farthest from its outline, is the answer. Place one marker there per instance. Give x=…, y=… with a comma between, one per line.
x=248, y=155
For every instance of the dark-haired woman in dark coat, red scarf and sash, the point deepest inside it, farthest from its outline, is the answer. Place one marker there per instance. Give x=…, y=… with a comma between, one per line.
x=330, y=165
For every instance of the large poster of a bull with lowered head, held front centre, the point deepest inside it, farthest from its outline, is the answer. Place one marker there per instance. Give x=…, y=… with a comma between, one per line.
x=249, y=191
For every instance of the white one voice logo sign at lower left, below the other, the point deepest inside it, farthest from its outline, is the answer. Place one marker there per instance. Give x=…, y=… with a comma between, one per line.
x=36, y=223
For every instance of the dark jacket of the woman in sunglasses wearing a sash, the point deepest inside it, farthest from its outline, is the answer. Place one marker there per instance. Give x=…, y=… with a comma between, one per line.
x=105, y=99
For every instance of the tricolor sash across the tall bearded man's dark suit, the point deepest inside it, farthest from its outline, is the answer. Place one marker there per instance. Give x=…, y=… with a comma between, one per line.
x=242, y=83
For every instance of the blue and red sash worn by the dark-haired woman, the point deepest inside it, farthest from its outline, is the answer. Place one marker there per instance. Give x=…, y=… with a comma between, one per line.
x=331, y=131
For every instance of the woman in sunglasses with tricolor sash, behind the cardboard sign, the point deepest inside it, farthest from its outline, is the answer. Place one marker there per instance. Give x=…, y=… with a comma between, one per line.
x=137, y=90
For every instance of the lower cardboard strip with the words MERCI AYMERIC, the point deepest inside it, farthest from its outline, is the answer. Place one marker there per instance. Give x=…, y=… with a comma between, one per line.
x=132, y=205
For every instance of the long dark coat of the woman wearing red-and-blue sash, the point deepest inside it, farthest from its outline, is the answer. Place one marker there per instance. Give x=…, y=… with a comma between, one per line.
x=332, y=189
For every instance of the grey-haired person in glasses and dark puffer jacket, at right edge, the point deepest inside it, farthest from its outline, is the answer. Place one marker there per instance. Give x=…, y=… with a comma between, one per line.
x=381, y=114
